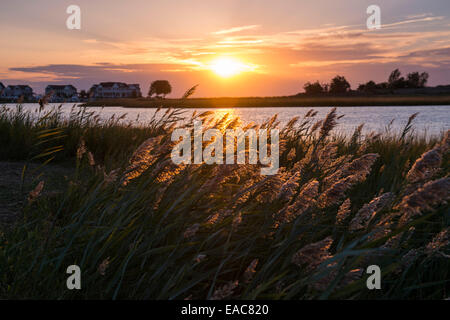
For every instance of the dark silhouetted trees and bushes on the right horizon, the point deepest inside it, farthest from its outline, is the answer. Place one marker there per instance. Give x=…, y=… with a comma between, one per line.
x=340, y=86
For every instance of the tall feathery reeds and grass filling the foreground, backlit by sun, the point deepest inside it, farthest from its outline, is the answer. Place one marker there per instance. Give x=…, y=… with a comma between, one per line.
x=141, y=227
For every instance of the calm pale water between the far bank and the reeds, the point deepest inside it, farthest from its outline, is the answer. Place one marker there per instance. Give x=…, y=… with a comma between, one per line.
x=432, y=120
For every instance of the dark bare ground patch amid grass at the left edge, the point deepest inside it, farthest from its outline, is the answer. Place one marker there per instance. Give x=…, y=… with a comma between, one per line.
x=12, y=197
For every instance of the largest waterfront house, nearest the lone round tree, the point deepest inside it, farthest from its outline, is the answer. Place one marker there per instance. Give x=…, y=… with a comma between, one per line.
x=105, y=90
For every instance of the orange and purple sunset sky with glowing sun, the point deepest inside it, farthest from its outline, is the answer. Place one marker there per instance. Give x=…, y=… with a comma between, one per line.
x=229, y=48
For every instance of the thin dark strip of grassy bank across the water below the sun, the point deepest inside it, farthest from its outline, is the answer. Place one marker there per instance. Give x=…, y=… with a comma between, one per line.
x=271, y=102
